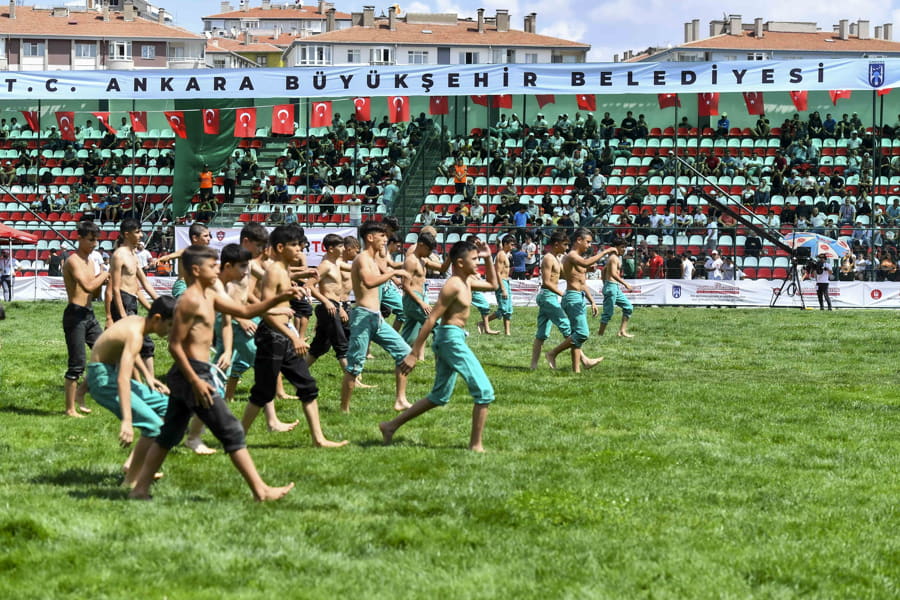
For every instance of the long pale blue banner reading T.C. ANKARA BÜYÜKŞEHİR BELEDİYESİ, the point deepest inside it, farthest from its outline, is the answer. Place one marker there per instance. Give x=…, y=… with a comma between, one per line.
x=458, y=80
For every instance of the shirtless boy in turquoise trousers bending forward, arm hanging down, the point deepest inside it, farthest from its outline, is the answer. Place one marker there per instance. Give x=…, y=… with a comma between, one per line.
x=112, y=382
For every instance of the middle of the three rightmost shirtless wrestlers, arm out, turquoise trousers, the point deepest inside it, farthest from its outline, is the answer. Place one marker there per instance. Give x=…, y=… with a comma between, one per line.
x=574, y=270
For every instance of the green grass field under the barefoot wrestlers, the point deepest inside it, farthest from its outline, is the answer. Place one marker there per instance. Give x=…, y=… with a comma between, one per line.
x=719, y=454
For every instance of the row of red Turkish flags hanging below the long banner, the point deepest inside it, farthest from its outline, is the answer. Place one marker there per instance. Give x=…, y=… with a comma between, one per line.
x=398, y=109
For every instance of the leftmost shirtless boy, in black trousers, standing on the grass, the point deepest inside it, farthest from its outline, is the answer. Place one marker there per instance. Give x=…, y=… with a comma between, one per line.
x=79, y=323
